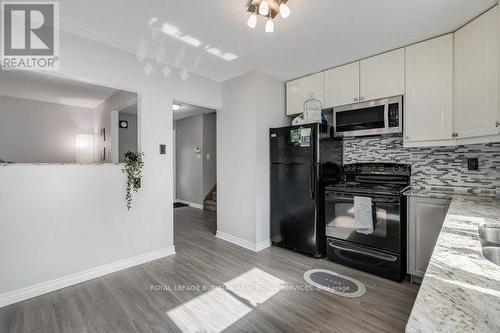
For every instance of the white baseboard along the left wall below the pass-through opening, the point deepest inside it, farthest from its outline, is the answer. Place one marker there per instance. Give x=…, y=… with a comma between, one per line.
x=22, y=294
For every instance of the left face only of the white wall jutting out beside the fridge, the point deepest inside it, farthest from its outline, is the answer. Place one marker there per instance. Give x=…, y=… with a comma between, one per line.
x=236, y=147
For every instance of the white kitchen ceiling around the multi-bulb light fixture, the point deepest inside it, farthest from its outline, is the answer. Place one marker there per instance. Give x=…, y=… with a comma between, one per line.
x=319, y=34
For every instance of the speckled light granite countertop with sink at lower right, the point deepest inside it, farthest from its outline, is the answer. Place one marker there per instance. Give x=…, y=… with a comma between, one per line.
x=460, y=291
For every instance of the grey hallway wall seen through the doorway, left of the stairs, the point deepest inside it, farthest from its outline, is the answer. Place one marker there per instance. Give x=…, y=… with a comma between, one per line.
x=189, y=164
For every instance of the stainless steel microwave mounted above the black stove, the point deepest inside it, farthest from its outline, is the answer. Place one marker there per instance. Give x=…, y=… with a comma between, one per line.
x=380, y=116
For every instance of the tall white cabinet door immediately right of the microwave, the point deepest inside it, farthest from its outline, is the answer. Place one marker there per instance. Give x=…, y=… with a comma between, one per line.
x=428, y=107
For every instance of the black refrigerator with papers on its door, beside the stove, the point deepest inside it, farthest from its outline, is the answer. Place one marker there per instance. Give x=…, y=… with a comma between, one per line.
x=304, y=159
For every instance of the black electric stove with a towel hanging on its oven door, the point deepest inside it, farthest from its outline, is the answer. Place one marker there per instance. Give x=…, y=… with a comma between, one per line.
x=382, y=252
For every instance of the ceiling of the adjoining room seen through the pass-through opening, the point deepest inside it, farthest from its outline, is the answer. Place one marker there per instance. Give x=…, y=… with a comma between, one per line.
x=52, y=89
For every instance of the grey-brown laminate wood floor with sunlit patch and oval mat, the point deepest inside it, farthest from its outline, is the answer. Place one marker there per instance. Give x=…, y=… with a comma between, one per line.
x=148, y=298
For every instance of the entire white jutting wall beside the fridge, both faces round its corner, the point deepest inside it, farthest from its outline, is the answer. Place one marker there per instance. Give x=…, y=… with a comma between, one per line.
x=252, y=103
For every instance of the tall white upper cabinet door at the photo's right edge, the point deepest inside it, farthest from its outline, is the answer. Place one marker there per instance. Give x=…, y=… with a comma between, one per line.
x=476, y=77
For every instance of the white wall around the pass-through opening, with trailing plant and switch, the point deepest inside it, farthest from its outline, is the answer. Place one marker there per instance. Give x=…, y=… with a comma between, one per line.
x=61, y=220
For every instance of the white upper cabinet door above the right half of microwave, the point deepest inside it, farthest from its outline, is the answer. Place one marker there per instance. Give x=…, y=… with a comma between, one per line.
x=382, y=75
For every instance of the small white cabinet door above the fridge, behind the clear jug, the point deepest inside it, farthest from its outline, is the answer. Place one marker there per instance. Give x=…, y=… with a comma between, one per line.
x=300, y=90
